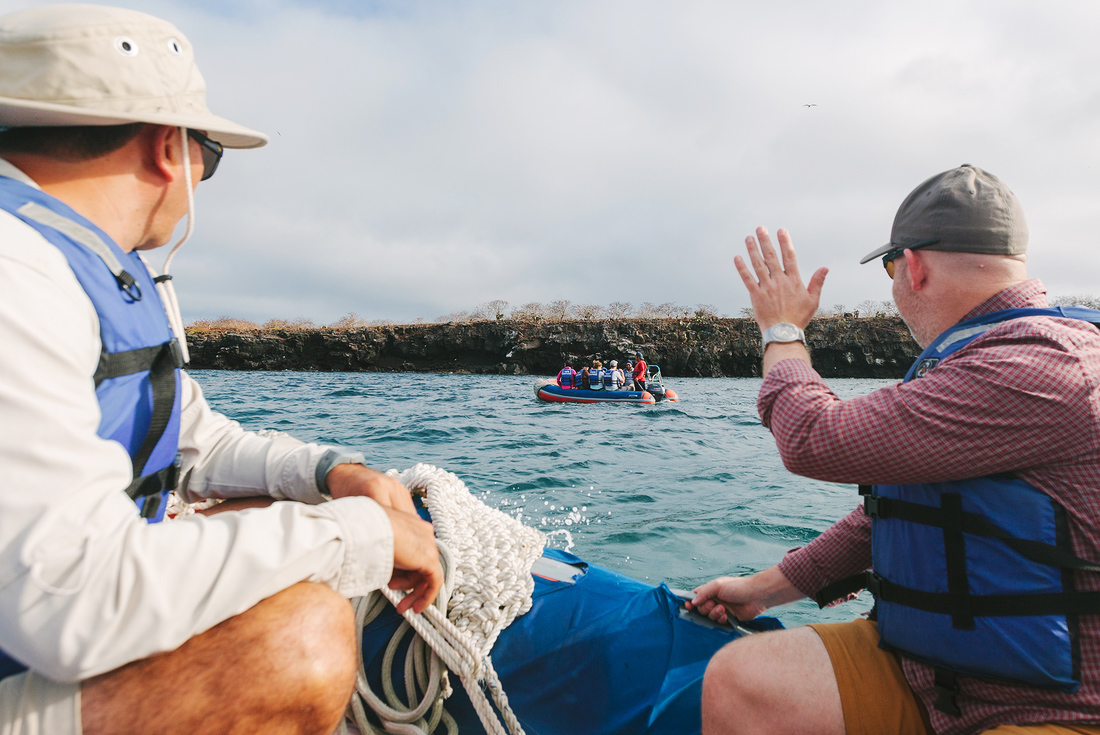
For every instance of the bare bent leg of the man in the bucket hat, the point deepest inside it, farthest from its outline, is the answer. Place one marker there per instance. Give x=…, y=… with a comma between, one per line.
x=288, y=665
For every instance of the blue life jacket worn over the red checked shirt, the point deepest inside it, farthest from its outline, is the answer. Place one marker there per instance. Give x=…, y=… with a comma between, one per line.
x=976, y=577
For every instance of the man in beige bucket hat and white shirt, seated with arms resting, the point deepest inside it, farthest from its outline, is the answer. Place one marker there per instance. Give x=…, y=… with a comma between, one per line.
x=112, y=621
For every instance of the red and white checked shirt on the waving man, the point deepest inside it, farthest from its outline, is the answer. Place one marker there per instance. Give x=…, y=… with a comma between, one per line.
x=1025, y=398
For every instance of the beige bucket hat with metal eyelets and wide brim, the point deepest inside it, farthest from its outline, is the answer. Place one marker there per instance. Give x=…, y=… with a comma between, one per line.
x=92, y=65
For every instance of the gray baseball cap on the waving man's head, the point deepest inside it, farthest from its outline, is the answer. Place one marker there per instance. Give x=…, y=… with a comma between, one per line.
x=963, y=211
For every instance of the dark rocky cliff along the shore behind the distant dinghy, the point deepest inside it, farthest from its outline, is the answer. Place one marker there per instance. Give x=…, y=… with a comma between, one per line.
x=842, y=347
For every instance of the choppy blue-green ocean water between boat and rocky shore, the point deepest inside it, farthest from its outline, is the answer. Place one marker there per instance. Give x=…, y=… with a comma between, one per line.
x=678, y=492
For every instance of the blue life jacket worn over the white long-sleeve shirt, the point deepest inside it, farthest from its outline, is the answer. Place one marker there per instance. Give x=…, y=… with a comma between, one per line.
x=138, y=377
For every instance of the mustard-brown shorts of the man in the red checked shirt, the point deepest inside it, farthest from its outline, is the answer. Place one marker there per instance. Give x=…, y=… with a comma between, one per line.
x=876, y=697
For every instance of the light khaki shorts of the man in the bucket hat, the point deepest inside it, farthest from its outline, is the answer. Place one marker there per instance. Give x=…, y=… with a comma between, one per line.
x=31, y=705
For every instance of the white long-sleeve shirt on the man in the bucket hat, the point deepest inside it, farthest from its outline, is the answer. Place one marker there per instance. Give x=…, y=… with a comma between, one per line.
x=86, y=585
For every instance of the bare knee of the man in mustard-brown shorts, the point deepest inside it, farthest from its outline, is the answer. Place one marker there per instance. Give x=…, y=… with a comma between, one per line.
x=773, y=683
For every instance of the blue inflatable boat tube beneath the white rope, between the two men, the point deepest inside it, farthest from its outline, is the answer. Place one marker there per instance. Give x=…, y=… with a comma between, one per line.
x=598, y=654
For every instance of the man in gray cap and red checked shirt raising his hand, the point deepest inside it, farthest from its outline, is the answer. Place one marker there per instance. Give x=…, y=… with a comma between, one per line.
x=980, y=532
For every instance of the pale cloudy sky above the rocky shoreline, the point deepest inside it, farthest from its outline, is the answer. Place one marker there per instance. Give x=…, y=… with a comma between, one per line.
x=430, y=157
